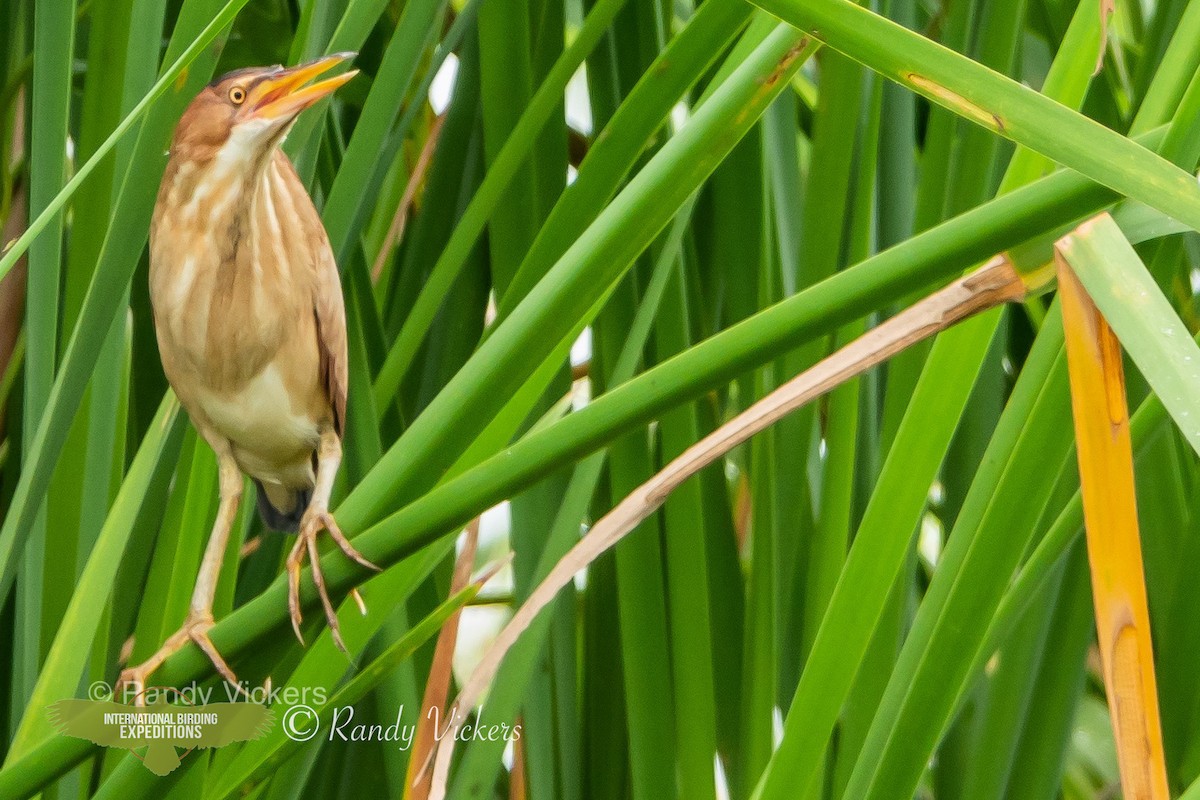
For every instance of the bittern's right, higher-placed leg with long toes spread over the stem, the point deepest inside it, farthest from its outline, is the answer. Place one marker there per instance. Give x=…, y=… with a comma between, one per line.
x=317, y=519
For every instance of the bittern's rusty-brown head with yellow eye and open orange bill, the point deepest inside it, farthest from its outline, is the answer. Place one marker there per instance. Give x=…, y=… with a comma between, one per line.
x=244, y=116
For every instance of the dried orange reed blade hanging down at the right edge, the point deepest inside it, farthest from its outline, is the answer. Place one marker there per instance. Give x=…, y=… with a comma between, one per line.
x=1114, y=549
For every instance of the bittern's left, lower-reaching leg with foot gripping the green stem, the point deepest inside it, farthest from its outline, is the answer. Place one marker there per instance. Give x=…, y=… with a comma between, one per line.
x=200, y=615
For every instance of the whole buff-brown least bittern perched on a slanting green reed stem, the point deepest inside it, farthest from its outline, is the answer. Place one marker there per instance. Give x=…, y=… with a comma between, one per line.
x=251, y=324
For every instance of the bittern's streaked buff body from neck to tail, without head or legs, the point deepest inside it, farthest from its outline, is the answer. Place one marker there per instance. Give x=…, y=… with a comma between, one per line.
x=249, y=315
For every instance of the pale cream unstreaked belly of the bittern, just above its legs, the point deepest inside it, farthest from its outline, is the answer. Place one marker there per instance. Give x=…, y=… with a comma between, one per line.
x=272, y=441
